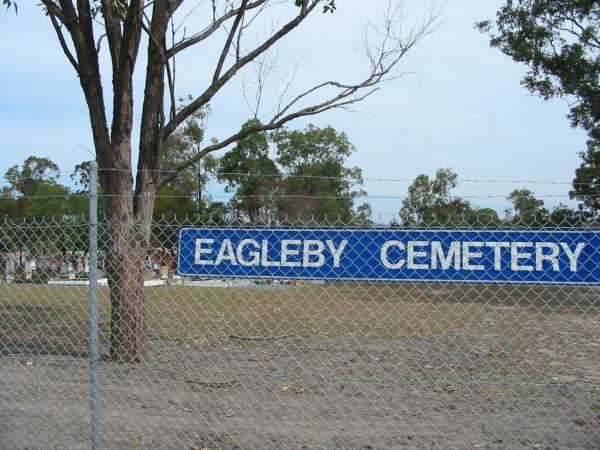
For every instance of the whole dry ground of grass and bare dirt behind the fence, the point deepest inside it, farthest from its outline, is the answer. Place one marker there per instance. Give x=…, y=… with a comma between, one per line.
x=316, y=365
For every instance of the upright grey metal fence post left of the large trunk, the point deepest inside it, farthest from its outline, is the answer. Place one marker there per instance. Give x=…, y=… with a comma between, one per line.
x=93, y=292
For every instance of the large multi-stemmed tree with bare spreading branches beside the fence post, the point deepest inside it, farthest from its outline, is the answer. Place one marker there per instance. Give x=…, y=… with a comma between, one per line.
x=92, y=31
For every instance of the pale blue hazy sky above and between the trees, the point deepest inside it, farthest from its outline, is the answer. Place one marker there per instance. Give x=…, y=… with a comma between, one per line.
x=458, y=104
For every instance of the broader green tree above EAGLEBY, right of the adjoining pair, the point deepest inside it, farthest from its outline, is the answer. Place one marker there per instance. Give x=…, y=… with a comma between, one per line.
x=316, y=178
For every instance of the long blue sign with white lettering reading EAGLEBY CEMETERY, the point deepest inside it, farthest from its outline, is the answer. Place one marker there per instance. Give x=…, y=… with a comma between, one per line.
x=459, y=255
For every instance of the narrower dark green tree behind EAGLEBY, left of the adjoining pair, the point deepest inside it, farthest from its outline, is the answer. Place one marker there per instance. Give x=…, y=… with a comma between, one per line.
x=251, y=174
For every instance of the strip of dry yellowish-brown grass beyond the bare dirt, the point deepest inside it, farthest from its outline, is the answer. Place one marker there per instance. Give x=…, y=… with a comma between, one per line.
x=535, y=326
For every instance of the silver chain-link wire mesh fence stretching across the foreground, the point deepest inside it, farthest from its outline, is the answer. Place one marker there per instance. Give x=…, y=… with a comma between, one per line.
x=274, y=362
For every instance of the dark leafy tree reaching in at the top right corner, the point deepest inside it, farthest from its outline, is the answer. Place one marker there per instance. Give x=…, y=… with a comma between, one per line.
x=559, y=41
